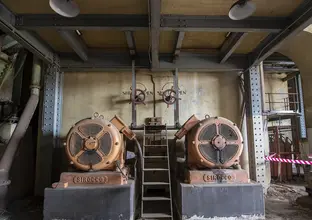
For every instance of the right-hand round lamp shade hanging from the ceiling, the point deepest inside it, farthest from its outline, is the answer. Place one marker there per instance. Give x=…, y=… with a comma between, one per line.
x=241, y=10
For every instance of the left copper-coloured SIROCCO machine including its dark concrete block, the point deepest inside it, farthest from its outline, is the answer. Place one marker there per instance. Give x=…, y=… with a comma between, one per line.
x=99, y=177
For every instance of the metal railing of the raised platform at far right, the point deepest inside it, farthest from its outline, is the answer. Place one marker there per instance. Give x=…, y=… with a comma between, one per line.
x=282, y=102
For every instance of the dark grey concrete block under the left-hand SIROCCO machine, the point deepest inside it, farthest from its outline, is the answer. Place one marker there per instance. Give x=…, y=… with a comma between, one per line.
x=96, y=203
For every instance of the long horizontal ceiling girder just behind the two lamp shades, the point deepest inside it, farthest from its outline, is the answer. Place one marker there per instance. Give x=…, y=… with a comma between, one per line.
x=139, y=22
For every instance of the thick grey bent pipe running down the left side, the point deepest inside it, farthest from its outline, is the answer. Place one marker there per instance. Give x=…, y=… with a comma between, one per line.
x=21, y=128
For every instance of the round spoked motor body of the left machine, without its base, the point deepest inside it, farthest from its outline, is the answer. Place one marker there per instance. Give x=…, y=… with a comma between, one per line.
x=95, y=144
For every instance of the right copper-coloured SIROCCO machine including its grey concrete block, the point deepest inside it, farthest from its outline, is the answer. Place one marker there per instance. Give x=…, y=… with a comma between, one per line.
x=211, y=175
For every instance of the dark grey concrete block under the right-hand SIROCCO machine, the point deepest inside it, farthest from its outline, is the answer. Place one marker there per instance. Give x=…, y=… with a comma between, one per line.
x=219, y=200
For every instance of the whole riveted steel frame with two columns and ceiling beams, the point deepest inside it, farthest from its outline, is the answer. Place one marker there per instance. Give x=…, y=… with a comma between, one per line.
x=281, y=29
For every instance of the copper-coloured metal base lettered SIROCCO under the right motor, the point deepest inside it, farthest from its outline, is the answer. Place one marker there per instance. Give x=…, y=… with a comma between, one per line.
x=216, y=176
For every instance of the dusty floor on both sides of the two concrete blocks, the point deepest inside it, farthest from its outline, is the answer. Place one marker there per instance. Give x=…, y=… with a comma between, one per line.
x=283, y=202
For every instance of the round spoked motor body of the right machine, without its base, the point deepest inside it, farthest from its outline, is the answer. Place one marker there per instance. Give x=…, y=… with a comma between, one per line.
x=214, y=143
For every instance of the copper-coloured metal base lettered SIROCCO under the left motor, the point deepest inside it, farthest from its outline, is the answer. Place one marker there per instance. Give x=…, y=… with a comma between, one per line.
x=74, y=179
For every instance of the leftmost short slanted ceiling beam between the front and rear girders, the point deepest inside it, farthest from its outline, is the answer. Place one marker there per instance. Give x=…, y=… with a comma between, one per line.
x=75, y=42
